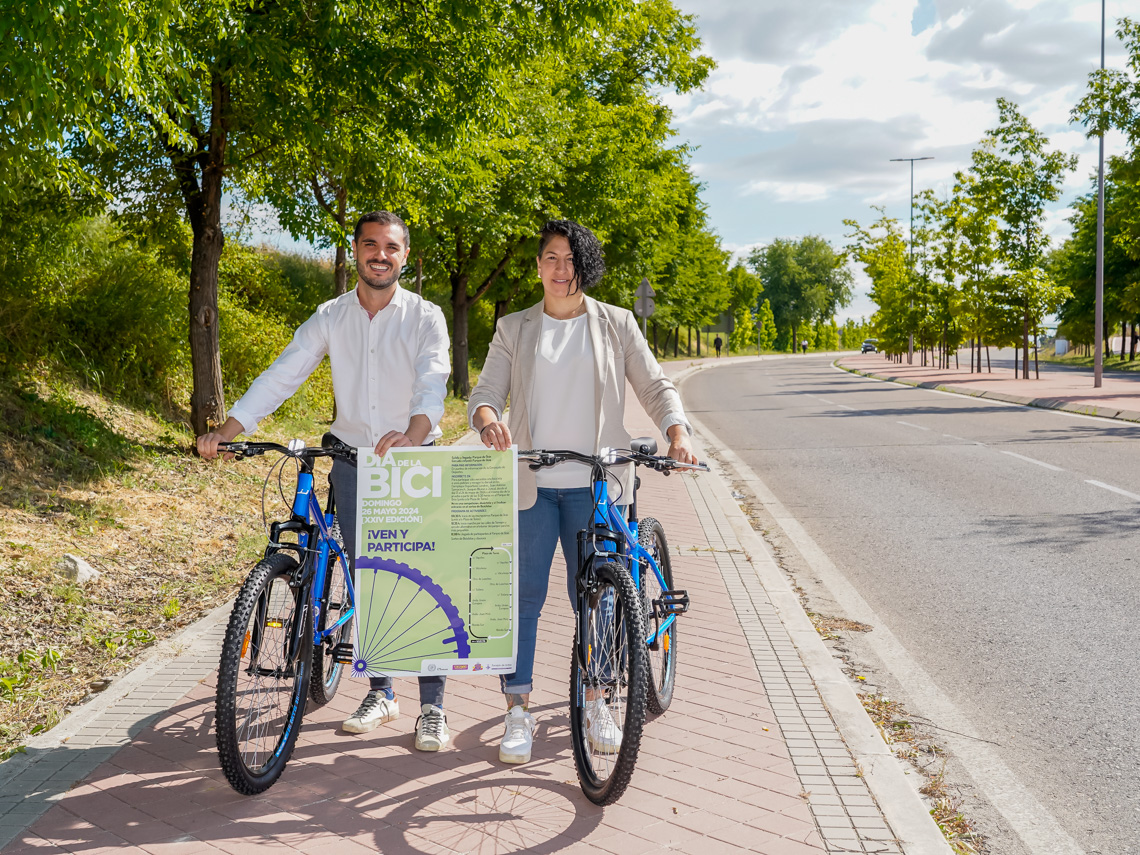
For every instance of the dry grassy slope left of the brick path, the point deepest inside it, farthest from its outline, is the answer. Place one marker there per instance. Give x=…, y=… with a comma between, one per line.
x=172, y=535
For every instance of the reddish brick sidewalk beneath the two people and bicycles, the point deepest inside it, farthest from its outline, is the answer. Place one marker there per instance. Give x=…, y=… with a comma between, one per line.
x=750, y=758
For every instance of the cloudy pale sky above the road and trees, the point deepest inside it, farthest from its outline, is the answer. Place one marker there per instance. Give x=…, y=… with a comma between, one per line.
x=795, y=129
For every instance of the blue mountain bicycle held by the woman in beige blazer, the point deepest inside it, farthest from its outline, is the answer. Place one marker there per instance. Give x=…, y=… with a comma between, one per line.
x=626, y=610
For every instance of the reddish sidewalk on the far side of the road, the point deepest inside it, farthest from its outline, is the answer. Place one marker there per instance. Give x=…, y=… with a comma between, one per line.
x=1119, y=397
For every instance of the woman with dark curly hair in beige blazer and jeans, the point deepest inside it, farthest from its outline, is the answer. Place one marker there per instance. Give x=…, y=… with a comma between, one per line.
x=564, y=364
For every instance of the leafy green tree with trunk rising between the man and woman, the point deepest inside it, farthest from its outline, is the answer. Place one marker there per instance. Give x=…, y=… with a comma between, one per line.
x=590, y=142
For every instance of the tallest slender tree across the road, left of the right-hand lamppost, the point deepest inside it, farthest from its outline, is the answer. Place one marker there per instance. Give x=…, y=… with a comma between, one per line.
x=1020, y=176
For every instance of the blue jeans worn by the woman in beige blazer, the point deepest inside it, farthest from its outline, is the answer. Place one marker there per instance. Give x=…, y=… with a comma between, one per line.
x=557, y=515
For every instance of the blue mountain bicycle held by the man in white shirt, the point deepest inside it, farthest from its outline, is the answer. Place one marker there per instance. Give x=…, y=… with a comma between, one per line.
x=289, y=637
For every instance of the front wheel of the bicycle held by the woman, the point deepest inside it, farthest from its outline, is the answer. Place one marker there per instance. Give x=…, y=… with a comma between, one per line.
x=608, y=686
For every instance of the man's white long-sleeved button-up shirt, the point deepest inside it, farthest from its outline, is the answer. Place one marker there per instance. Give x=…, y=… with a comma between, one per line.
x=385, y=371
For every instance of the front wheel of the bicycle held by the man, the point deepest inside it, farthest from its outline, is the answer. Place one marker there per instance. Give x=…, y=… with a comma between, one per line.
x=264, y=677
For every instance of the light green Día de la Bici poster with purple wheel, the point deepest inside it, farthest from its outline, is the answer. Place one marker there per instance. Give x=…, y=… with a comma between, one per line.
x=436, y=575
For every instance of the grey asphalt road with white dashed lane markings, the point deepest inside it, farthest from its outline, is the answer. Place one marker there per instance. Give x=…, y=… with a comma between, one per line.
x=997, y=543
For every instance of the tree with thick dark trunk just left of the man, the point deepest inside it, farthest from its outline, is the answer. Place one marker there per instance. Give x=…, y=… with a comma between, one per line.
x=255, y=77
